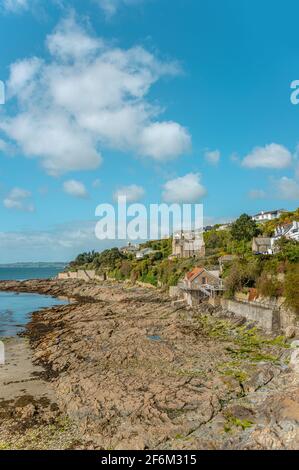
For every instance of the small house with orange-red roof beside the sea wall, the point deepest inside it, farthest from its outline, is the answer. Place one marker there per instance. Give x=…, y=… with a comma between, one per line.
x=201, y=283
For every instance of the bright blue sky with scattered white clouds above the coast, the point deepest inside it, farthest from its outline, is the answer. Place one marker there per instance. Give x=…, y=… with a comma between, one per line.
x=176, y=101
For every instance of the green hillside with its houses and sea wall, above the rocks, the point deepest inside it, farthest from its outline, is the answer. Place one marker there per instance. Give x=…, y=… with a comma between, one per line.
x=188, y=265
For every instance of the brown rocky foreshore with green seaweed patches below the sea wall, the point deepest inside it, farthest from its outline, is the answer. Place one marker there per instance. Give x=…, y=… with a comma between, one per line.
x=131, y=371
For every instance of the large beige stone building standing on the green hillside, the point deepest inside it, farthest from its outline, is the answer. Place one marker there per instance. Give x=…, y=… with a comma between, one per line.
x=188, y=244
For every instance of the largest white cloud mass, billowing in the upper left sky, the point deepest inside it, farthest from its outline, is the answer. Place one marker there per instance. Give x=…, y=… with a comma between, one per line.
x=89, y=96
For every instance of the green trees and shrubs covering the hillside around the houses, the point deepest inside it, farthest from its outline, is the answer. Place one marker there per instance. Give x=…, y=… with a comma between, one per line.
x=271, y=275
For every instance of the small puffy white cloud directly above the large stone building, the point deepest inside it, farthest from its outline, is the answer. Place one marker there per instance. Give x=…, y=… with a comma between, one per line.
x=185, y=189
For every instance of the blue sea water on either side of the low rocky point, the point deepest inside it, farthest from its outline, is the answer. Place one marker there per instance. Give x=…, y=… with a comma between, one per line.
x=16, y=308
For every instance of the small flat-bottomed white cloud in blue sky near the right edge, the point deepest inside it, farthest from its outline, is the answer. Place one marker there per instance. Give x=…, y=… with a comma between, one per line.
x=270, y=156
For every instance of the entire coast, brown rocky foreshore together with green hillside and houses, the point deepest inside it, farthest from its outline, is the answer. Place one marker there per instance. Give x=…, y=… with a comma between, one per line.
x=184, y=343
